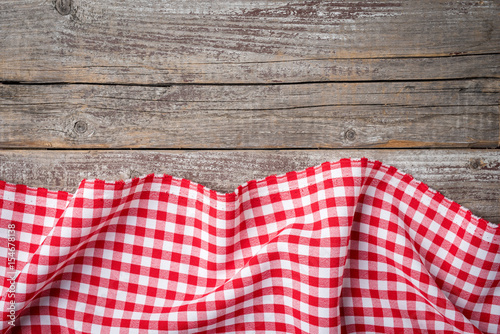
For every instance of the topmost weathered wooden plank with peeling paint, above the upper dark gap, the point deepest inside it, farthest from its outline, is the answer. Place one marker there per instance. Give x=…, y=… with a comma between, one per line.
x=217, y=41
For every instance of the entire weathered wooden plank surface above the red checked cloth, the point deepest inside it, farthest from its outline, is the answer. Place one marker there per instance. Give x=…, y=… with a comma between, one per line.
x=222, y=92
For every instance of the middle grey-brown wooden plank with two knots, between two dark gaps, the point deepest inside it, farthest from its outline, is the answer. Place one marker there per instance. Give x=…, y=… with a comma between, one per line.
x=327, y=115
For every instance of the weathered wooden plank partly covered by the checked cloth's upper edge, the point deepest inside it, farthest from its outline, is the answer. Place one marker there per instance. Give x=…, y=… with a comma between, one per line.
x=469, y=177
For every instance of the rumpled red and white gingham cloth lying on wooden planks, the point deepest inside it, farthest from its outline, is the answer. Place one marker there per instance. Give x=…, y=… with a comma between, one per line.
x=351, y=246
